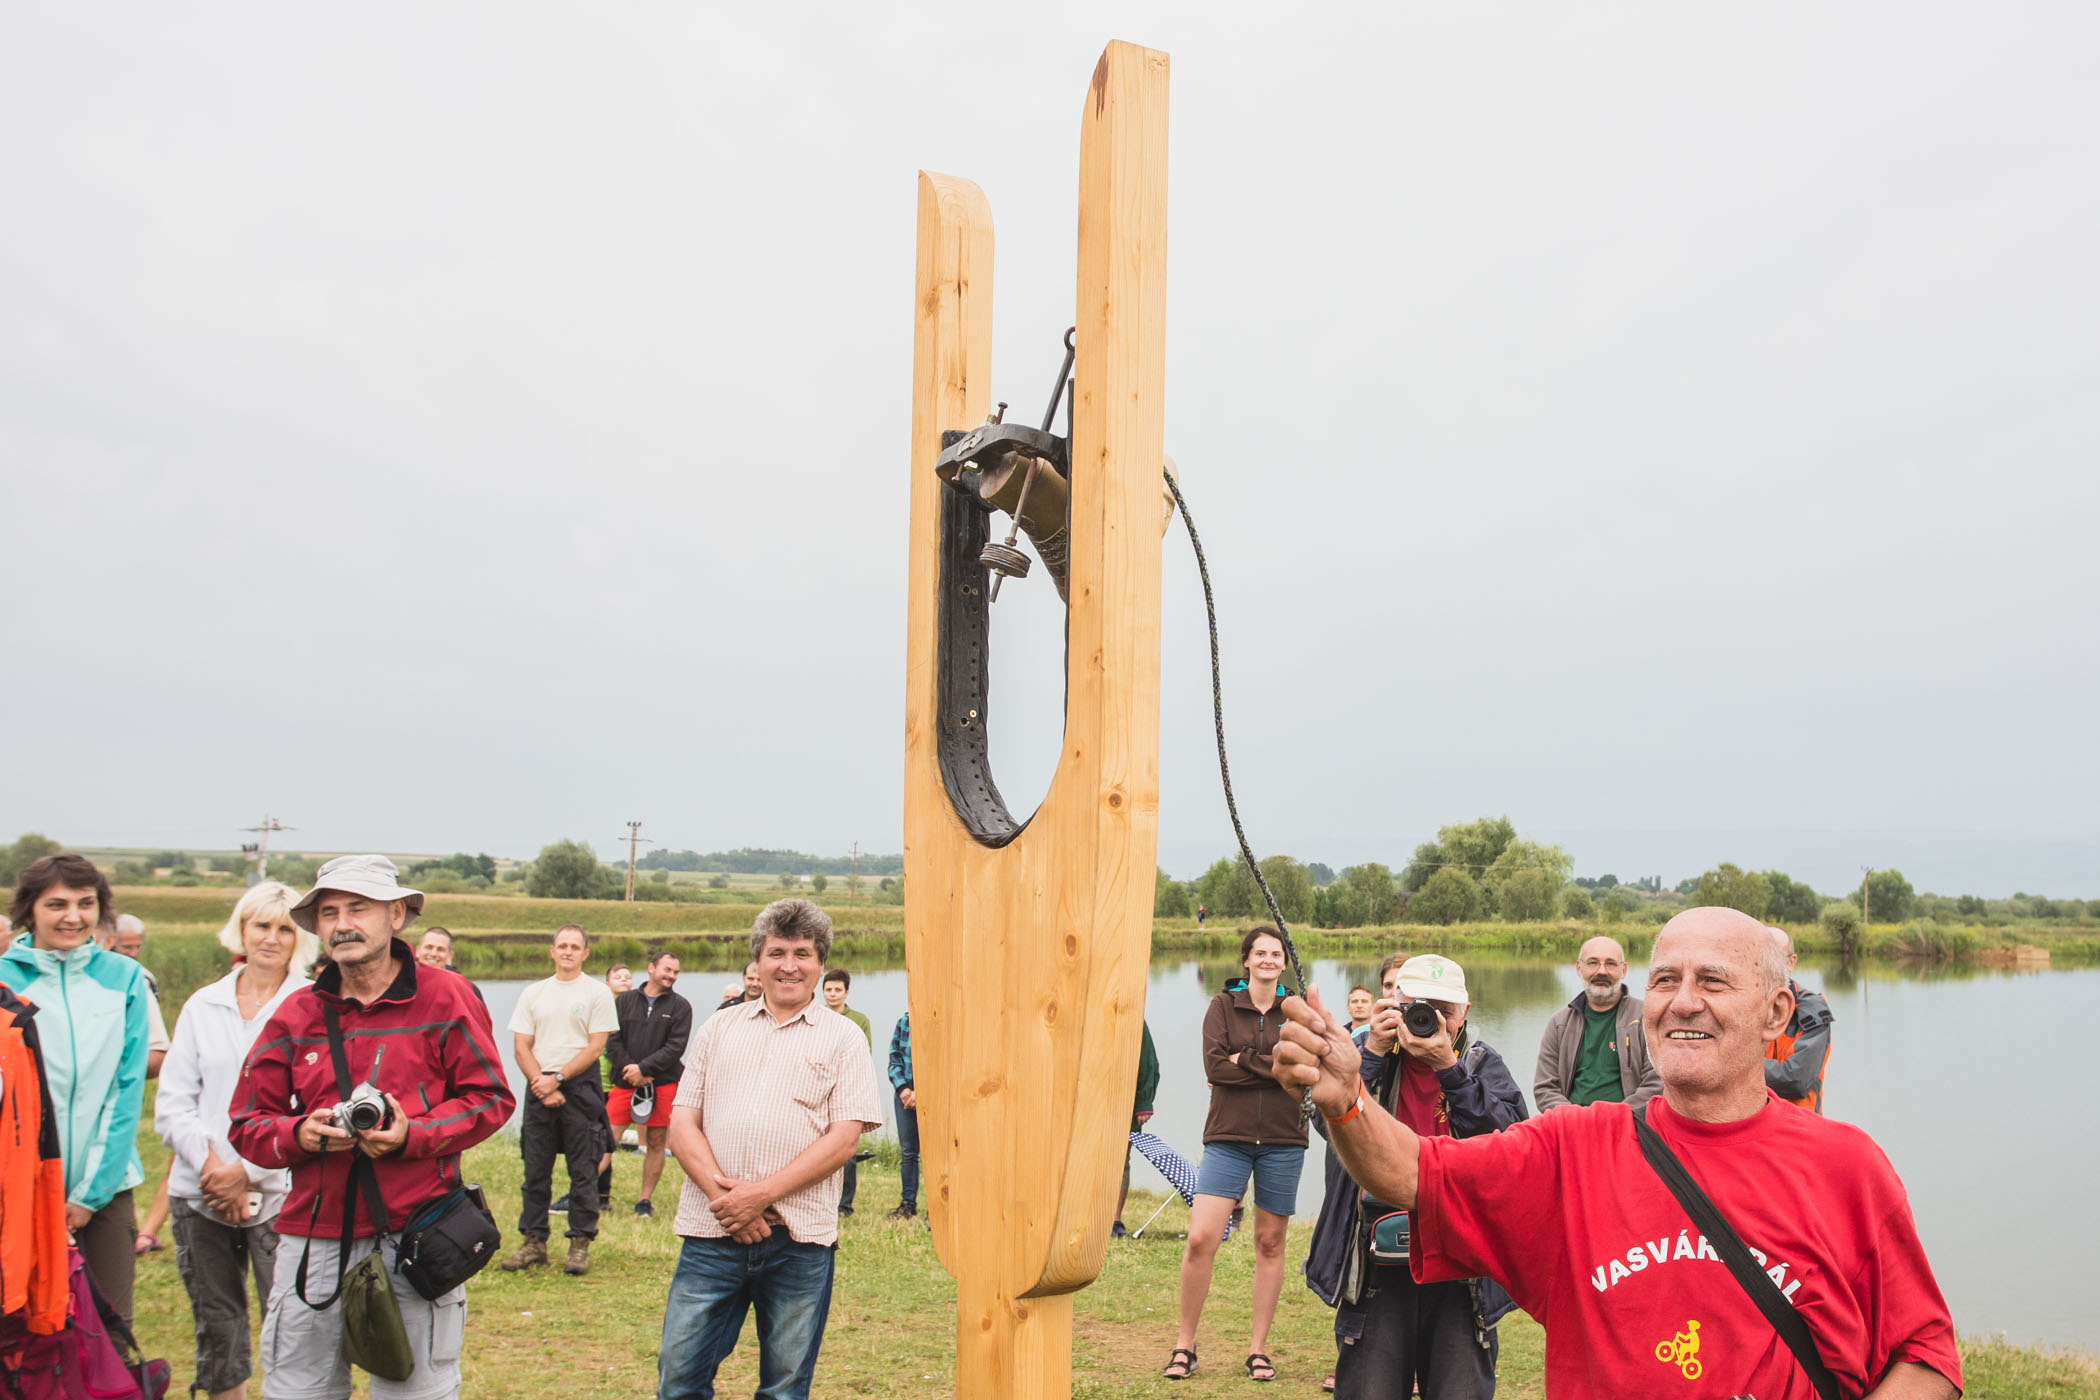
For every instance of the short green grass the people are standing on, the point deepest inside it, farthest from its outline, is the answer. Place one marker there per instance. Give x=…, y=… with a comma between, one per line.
x=891, y=1330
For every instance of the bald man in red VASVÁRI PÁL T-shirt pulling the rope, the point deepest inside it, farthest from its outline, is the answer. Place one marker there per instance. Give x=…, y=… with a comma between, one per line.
x=1572, y=1216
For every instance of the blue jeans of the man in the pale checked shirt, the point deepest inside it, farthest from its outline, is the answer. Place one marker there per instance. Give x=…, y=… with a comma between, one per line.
x=717, y=1281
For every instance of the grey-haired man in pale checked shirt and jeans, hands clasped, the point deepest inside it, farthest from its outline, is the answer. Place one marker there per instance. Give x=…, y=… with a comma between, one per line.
x=774, y=1103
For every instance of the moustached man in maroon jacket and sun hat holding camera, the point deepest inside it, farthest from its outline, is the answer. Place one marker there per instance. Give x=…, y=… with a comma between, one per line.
x=423, y=1040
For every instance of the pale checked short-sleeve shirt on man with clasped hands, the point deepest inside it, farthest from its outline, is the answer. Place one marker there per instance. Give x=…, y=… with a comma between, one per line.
x=768, y=1090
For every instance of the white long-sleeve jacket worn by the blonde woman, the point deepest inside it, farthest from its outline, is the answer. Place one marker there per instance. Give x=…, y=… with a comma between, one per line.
x=196, y=1088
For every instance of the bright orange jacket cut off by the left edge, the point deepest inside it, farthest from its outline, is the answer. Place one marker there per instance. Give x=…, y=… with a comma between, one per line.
x=35, y=1275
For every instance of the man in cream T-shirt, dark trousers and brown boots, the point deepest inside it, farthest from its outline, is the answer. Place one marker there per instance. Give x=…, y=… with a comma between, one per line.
x=560, y=1032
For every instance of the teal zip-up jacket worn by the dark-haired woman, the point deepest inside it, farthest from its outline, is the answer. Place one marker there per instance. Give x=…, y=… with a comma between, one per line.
x=91, y=1013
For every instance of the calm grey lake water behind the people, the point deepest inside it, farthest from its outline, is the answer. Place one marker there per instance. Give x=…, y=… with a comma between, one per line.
x=1973, y=1084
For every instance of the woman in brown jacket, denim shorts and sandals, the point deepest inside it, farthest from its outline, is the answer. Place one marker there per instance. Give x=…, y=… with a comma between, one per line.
x=1255, y=1130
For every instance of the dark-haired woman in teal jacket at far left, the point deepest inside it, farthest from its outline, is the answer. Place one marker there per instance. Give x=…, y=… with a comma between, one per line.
x=91, y=1015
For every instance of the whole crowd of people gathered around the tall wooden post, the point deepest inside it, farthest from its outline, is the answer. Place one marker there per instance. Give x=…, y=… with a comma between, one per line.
x=763, y=1103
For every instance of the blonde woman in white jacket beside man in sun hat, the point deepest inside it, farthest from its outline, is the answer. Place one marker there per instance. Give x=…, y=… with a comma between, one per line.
x=226, y=1208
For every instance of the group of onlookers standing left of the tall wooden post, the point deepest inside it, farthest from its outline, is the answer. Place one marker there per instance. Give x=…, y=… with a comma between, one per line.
x=327, y=1000
